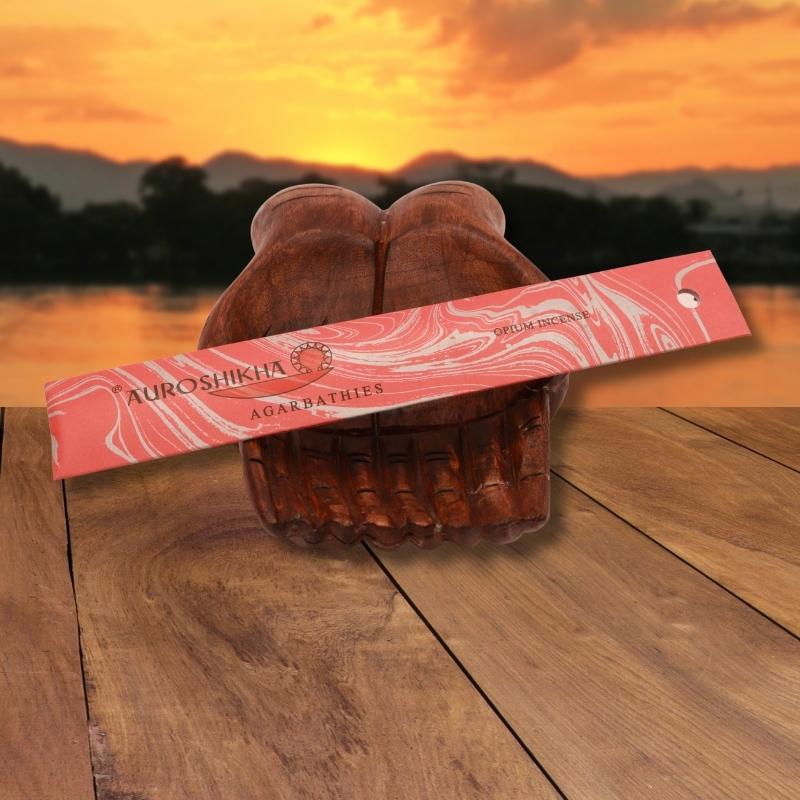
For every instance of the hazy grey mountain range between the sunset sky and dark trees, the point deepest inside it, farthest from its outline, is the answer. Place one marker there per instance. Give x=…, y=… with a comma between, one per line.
x=80, y=176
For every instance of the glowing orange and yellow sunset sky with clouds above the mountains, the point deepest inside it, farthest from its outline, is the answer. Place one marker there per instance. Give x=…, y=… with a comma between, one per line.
x=591, y=86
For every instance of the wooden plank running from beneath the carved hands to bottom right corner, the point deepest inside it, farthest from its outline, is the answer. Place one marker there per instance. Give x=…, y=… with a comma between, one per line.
x=617, y=661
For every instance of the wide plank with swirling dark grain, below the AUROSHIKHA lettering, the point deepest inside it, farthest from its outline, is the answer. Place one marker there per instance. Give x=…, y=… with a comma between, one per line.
x=265, y=664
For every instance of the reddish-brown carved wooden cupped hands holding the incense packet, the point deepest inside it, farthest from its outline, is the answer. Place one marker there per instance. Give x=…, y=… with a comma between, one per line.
x=462, y=469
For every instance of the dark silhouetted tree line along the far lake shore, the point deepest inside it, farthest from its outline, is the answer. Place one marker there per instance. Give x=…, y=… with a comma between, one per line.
x=184, y=234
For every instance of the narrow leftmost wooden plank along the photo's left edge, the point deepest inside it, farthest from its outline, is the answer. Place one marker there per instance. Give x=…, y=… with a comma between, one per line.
x=44, y=752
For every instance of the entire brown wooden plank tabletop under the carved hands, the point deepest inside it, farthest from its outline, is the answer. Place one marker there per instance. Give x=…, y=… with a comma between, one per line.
x=156, y=645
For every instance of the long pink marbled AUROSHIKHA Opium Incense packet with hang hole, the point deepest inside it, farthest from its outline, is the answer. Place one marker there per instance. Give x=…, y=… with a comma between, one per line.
x=207, y=398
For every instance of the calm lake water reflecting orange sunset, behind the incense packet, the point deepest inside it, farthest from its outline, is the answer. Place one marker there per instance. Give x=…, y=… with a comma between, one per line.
x=57, y=332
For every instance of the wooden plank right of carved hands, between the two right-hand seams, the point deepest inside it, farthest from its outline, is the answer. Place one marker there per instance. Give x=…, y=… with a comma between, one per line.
x=726, y=509
